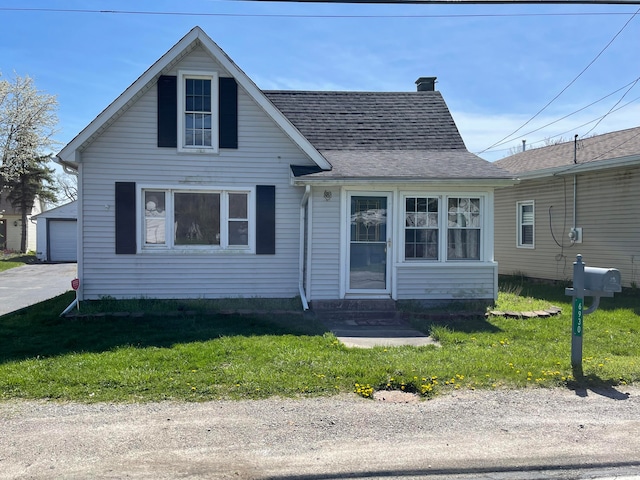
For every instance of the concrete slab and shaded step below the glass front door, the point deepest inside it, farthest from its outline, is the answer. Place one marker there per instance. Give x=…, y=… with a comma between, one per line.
x=368, y=323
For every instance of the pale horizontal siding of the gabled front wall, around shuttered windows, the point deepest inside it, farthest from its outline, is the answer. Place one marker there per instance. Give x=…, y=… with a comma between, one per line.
x=127, y=151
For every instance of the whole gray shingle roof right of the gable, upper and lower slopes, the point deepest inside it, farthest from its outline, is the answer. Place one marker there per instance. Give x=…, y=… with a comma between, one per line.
x=402, y=135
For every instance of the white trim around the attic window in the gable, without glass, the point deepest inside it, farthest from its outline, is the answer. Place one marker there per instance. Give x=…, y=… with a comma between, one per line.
x=215, y=140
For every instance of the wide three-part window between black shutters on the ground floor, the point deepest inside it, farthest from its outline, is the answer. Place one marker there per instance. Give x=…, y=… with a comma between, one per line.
x=193, y=219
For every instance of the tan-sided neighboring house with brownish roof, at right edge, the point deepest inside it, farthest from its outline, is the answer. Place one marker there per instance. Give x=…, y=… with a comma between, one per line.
x=573, y=198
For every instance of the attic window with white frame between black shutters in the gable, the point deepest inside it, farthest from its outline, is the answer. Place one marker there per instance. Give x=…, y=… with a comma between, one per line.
x=197, y=112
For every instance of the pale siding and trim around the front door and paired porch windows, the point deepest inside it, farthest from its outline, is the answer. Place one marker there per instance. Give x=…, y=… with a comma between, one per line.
x=423, y=280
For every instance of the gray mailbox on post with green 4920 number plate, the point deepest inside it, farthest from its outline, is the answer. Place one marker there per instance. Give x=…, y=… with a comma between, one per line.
x=588, y=282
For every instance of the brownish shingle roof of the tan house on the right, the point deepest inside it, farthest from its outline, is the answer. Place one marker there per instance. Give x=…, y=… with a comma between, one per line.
x=620, y=144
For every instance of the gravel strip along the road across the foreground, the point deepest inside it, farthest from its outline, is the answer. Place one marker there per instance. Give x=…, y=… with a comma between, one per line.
x=517, y=434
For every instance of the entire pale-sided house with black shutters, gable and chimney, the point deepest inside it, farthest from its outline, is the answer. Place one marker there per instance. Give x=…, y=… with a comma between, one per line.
x=194, y=183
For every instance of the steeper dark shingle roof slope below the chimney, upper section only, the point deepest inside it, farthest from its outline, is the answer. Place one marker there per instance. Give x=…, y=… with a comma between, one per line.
x=370, y=120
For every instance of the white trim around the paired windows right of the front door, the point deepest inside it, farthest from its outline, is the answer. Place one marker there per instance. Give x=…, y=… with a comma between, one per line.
x=443, y=227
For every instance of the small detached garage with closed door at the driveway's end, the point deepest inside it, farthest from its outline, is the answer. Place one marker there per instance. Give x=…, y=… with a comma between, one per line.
x=58, y=234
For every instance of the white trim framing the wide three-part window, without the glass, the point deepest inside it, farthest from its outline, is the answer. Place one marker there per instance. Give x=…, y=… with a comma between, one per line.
x=224, y=247
